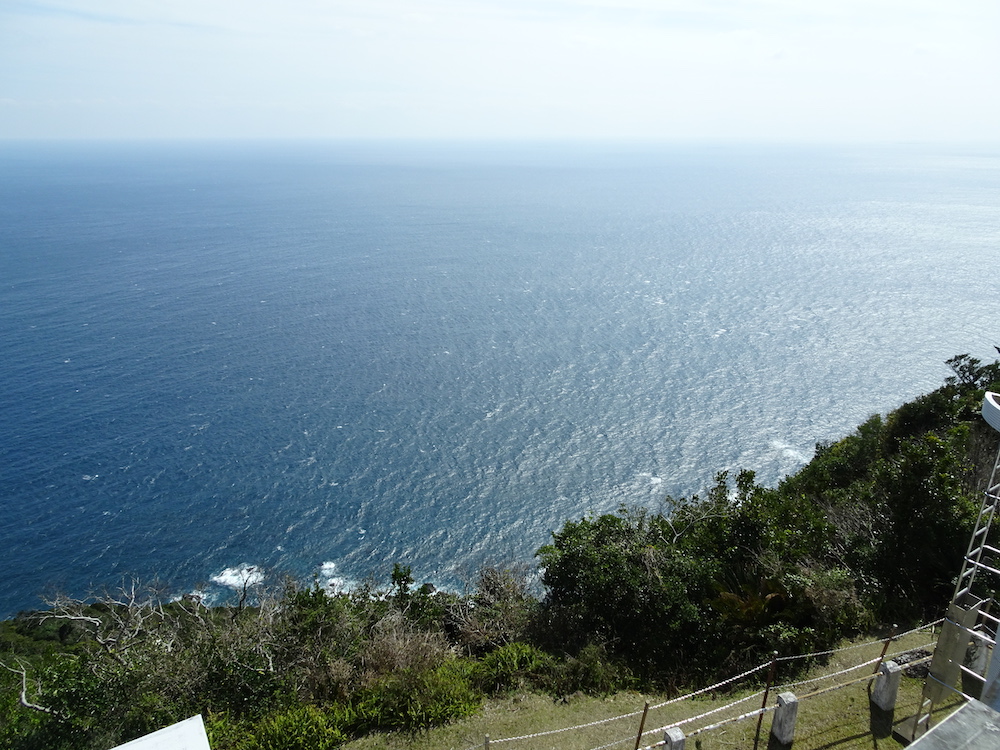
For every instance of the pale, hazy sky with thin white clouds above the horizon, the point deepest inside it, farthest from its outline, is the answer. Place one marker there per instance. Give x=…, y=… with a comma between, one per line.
x=744, y=70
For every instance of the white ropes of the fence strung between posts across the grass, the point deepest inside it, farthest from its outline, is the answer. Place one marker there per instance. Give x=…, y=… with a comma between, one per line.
x=758, y=712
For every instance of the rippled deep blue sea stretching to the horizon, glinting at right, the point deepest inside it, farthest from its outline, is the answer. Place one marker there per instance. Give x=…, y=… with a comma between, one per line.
x=326, y=358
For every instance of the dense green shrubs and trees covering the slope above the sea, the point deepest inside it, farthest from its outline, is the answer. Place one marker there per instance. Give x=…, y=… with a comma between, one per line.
x=870, y=532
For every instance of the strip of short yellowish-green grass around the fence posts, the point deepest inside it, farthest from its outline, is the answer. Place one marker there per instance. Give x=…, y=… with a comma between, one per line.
x=828, y=719
